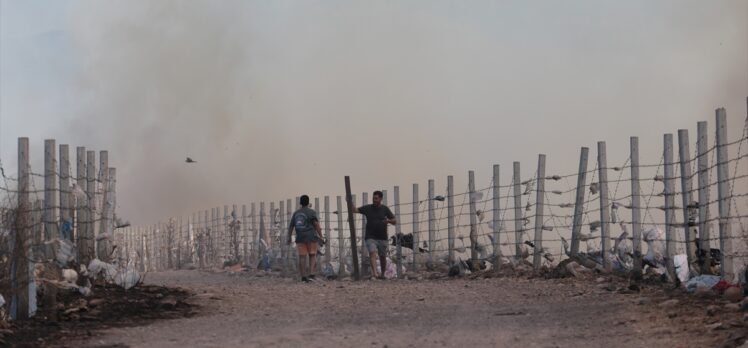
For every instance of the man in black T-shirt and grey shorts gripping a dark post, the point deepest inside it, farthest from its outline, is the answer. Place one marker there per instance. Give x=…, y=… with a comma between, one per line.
x=377, y=218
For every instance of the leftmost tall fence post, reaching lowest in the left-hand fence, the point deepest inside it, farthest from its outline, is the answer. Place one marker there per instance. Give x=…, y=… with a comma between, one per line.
x=20, y=269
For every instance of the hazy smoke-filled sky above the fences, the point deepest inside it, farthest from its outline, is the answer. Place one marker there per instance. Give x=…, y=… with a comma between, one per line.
x=278, y=98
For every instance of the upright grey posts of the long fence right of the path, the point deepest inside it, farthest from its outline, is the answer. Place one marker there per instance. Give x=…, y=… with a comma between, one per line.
x=214, y=233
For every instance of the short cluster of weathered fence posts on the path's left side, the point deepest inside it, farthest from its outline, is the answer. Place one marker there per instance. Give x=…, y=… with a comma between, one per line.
x=62, y=214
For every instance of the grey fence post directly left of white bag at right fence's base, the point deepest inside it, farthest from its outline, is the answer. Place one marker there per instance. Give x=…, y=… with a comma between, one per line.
x=669, y=205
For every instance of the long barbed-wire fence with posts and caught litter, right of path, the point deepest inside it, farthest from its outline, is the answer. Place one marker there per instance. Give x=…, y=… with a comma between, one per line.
x=688, y=210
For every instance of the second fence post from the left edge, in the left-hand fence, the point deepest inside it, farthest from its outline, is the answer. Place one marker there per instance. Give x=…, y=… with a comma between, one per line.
x=51, y=216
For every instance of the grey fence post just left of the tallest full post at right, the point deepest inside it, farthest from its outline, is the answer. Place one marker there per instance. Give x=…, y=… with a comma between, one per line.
x=703, y=169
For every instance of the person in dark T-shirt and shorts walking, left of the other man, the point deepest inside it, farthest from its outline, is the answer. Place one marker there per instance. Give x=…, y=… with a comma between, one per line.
x=306, y=224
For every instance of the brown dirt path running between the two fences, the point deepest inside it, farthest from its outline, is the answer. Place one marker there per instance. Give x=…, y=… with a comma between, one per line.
x=243, y=310
